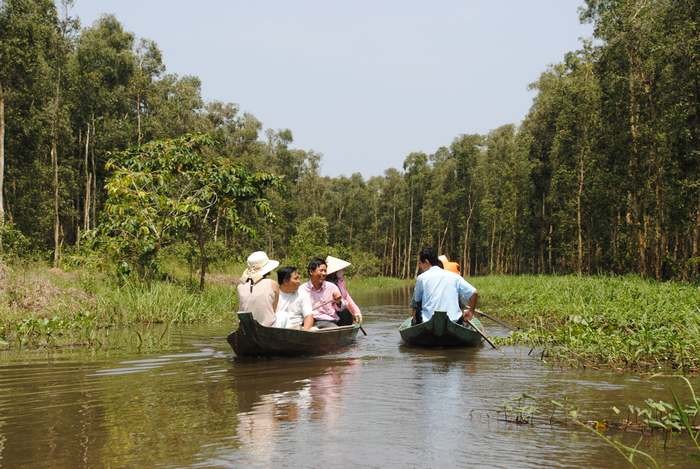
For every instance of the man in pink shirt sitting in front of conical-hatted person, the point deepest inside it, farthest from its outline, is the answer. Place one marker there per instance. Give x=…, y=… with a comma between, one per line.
x=326, y=299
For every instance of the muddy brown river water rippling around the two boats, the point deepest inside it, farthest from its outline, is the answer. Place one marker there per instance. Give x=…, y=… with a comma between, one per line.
x=375, y=404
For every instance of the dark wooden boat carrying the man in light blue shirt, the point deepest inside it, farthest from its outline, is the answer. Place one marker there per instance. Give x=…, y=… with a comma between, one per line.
x=439, y=331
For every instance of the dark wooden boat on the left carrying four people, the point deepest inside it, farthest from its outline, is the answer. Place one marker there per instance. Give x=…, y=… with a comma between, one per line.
x=253, y=339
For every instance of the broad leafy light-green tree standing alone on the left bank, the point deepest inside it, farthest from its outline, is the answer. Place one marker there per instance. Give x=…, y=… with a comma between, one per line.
x=175, y=191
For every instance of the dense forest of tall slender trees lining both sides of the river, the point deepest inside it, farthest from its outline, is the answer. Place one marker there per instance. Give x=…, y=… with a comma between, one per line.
x=601, y=176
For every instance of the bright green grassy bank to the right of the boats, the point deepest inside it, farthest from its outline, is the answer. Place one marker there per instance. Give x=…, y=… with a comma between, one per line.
x=619, y=322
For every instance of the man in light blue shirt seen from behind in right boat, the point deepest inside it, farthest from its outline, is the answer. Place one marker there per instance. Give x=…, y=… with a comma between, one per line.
x=440, y=290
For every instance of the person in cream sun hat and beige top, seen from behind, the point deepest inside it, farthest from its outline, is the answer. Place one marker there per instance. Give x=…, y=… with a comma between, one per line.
x=257, y=293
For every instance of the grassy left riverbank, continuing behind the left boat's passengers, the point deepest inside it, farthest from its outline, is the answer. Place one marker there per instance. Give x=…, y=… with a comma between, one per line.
x=44, y=307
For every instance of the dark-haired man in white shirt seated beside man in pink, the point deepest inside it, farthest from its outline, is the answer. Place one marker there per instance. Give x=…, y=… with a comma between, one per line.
x=294, y=310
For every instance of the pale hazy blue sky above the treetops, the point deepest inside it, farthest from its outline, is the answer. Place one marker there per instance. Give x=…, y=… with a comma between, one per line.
x=362, y=82
